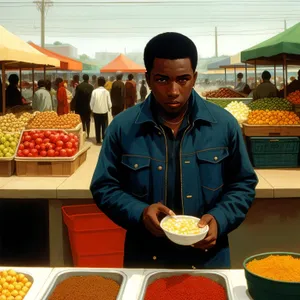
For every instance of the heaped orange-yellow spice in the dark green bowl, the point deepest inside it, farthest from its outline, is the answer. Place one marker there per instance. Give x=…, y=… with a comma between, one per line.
x=276, y=267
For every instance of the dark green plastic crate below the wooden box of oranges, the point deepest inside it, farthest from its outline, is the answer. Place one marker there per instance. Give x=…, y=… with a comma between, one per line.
x=277, y=152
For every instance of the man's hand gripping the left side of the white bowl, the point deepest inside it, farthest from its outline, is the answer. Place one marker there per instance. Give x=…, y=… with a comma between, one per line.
x=152, y=216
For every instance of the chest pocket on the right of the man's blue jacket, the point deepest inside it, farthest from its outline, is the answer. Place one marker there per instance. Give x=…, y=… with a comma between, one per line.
x=211, y=168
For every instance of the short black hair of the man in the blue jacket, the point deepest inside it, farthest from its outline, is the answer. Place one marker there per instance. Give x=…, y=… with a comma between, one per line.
x=170, y=45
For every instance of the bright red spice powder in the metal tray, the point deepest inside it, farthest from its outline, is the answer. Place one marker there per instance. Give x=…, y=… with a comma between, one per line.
x=185, y=287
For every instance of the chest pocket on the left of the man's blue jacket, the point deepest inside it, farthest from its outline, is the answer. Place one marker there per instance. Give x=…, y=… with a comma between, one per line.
x=136, y=175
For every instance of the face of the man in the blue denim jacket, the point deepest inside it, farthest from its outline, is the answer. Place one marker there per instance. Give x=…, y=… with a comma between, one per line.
x=171, y=82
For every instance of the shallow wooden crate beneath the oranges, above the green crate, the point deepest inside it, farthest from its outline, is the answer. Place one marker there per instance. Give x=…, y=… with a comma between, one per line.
x=266, y=130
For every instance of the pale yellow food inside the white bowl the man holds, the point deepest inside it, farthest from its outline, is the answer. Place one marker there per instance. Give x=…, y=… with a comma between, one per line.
x=183, y=226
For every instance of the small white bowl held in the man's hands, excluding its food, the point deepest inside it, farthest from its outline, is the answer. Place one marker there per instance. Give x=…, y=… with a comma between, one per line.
x=184, y=239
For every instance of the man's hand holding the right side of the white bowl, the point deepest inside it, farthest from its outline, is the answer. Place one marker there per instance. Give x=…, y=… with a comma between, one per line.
x=211, y=238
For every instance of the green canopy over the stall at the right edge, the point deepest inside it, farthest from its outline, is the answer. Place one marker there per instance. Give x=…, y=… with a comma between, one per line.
x=272, y=50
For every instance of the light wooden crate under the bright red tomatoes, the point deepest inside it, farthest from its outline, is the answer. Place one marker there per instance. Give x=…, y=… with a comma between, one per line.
x=51, y=167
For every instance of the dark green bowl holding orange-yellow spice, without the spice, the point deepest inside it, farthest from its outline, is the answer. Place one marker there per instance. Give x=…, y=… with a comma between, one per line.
x=261, y=288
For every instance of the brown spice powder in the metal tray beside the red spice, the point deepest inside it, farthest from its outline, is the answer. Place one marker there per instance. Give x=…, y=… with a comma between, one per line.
x=86, y=288
